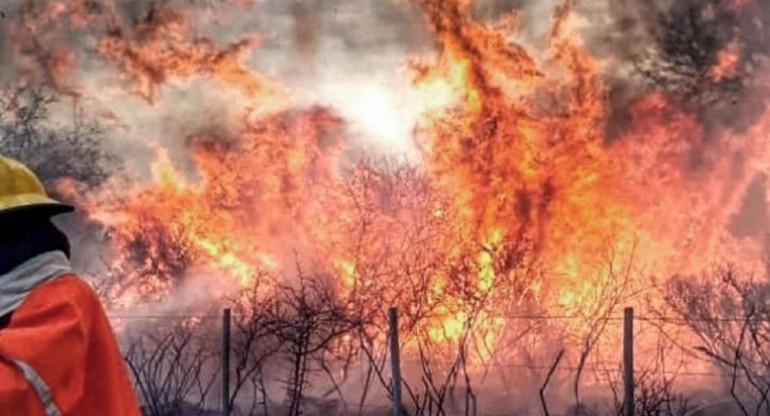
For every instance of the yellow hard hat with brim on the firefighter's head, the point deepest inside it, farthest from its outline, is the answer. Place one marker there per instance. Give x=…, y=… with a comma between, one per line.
x=21, y=190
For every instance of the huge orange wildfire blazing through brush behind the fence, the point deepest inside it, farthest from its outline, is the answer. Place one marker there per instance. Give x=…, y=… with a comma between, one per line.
x=521, y=200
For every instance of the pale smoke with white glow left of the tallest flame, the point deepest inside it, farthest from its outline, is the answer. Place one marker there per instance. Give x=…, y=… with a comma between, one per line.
x=154, y=72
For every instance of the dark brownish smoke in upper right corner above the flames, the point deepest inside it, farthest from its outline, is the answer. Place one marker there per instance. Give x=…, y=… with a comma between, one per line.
x=712, y=56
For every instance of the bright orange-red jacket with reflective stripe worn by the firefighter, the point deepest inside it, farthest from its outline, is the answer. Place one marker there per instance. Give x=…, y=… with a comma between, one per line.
x=61, y=334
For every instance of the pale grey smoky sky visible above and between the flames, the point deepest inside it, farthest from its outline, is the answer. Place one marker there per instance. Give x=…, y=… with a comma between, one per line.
x=351, y=56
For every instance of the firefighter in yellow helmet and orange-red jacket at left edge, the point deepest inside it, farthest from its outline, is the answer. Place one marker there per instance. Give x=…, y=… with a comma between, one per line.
x=58, y=354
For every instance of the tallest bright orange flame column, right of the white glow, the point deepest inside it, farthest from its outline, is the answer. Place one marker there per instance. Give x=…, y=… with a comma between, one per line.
x=523, y=171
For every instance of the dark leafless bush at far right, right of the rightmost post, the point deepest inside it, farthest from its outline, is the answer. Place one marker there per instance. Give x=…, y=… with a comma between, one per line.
x=729, y=314
